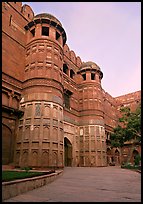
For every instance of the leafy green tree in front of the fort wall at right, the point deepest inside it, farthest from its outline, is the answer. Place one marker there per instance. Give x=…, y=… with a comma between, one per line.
x=129, y=129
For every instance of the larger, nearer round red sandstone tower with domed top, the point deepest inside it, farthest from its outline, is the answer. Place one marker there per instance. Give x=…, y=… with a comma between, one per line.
x=40, y=135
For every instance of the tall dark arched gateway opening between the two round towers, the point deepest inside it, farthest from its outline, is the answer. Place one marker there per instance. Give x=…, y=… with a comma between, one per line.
x=67, y=152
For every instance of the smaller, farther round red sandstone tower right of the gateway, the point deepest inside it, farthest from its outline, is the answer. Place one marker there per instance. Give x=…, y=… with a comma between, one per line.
x=92, y=131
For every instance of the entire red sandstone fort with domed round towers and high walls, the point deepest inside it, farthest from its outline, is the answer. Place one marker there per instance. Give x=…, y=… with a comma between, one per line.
x=55, y=112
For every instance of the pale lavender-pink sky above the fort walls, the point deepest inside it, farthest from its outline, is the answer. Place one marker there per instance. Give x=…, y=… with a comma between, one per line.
x=107, y=33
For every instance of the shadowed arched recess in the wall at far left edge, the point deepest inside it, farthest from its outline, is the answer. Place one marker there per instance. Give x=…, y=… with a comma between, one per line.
x=6, y=145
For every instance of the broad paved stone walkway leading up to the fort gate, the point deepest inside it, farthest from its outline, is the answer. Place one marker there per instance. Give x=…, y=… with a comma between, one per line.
x=88, y=184
